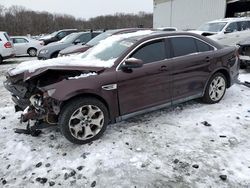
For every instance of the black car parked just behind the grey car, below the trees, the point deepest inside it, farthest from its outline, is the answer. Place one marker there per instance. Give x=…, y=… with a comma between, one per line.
x=56, y=36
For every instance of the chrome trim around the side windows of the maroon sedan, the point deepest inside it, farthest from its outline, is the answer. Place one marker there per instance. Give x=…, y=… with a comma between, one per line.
x=163, y=38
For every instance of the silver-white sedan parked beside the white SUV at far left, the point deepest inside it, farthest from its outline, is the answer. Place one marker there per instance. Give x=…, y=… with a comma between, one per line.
x=25, y=45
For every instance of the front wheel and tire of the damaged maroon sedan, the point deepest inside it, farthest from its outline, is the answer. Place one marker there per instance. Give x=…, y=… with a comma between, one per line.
x=77, y=117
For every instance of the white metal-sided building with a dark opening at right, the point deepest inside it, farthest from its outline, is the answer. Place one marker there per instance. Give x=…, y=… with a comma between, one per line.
x=189, y=14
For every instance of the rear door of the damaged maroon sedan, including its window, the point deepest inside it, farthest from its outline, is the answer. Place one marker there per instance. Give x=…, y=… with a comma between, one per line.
x=191, y=61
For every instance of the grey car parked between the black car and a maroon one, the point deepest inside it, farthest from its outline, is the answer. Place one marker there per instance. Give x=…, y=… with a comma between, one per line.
x=52, y=50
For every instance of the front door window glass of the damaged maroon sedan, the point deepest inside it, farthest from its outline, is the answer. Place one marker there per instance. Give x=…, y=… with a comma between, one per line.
x=151, y=52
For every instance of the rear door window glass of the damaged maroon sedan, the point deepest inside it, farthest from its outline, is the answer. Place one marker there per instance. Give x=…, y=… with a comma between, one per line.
x=183, y=46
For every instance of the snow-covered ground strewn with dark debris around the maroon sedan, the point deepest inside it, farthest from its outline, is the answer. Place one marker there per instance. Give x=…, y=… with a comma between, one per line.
x=172, y=147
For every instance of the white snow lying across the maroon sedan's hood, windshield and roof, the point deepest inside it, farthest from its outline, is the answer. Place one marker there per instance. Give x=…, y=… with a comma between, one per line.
x=89, y=60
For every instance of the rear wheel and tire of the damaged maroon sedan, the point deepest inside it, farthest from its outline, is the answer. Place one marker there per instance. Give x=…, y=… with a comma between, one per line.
x=215, y=89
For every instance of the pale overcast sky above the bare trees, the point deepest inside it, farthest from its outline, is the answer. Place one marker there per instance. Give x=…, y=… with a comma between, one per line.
x=84, y=8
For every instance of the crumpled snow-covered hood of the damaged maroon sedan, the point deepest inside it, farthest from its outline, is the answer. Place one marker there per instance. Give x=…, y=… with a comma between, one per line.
x=29, y=69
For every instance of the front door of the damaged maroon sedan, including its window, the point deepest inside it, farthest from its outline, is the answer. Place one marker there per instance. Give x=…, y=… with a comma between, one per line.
x=146, y=86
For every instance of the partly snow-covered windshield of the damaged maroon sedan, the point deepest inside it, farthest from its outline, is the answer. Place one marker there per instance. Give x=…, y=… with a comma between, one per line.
x=111, y=50
